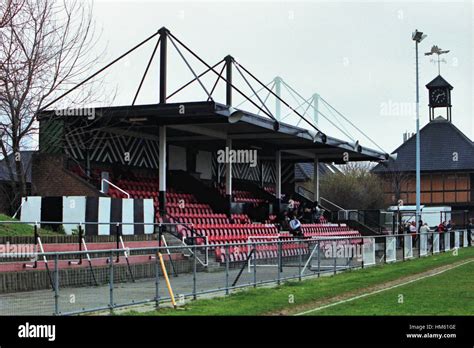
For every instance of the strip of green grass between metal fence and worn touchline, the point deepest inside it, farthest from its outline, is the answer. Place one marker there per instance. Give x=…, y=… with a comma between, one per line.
x=262, y=301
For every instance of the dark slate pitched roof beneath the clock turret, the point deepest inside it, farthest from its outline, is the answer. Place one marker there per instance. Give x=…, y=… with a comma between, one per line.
x=443, y=147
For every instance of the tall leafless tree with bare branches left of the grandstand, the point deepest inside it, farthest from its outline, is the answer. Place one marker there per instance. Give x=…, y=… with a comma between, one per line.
x=45, y=49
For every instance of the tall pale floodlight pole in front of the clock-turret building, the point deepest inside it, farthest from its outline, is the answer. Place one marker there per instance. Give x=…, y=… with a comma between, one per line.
x=417, y=37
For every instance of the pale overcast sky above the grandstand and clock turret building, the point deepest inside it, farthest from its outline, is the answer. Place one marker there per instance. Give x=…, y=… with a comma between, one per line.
x=357, y=55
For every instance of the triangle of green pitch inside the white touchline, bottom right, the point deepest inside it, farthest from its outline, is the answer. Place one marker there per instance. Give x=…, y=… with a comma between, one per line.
x=449, y=293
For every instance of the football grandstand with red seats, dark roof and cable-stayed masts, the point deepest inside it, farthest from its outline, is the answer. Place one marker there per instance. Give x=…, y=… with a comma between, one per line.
x=137, y=173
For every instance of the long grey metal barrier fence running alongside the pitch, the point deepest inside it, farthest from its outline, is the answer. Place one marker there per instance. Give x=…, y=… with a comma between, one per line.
x=74, y=282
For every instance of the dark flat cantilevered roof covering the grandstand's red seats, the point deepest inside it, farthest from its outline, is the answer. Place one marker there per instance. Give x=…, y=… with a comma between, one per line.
x=206, y=124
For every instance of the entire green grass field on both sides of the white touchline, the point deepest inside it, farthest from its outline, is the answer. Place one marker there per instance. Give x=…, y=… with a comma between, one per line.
x=294, y=297
